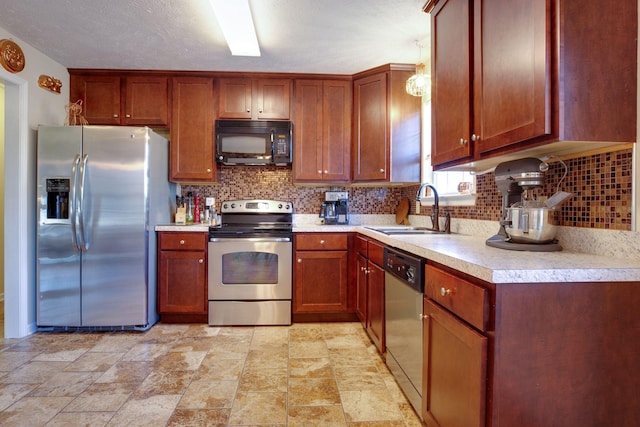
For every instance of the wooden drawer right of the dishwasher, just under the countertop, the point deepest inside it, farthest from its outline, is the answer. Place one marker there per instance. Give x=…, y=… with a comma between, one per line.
x=468, y=301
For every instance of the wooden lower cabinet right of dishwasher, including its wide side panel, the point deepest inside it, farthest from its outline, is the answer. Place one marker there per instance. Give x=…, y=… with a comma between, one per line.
x=529, y=354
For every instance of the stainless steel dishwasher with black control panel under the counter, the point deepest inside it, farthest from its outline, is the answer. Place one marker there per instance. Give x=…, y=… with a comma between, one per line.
x=404, y=289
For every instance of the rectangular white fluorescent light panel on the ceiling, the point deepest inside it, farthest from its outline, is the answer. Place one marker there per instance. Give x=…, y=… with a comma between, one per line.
x=234, y=17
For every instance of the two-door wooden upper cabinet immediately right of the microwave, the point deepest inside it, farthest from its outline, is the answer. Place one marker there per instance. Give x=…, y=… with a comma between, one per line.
x=322, y=131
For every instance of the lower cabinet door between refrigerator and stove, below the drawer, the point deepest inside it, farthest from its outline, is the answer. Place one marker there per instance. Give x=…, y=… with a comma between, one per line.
x=182, y=282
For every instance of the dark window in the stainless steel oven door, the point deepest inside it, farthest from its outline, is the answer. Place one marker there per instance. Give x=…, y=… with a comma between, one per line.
x=249, y=268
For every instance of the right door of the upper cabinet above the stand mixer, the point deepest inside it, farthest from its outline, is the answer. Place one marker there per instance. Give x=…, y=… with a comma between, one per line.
x=512, y=68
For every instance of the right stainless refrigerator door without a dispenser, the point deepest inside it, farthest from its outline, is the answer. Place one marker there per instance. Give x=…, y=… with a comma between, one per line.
x=115, y=212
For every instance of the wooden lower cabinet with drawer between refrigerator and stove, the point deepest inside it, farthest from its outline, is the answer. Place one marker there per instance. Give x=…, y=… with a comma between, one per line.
x=182, y=276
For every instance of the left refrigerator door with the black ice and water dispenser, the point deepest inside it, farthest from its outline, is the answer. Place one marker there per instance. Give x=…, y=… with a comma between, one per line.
x=58, y=263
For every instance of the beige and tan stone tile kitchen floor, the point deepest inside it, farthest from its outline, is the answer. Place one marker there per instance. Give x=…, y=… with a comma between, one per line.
x=318, y=374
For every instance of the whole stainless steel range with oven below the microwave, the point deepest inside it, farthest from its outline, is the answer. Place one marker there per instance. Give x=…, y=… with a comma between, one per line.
x=250, y=256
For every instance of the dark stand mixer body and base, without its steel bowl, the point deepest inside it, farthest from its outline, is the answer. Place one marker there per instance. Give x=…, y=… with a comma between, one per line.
x=515, y=179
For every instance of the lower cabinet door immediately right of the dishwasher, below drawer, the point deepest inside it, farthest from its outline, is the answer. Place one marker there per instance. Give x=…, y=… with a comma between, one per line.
x=454, y=371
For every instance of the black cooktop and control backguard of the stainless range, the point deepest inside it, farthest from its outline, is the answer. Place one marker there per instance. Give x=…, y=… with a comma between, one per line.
x=254, y=218
